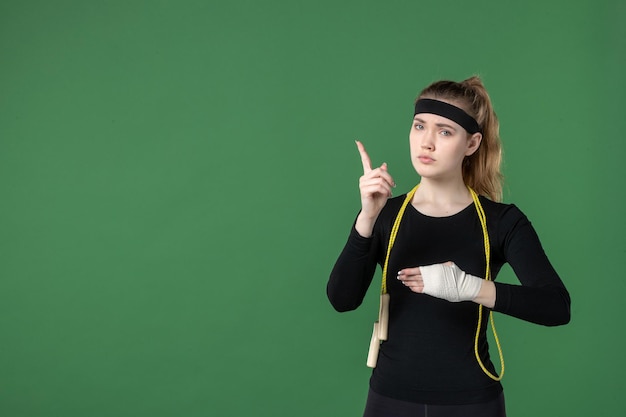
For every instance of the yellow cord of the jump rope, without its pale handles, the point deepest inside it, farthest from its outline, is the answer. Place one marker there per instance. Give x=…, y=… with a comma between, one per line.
x=483, y=223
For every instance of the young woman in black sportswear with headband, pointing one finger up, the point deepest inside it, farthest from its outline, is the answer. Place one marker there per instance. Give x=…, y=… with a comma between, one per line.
x=441, y=247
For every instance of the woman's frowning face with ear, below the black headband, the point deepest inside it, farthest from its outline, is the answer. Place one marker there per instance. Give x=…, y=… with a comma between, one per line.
x=439, y=145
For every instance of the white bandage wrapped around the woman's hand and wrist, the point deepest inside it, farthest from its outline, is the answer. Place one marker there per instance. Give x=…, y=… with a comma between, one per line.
x=449, y=282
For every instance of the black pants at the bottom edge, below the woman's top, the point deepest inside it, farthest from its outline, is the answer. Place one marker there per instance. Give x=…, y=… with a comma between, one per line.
x=380, y=406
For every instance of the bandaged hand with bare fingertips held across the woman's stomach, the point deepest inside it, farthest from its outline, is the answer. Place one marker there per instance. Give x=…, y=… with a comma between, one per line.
x=446, y=281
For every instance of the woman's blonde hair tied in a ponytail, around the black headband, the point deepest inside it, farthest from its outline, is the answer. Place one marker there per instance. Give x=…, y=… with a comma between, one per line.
x=481, y=170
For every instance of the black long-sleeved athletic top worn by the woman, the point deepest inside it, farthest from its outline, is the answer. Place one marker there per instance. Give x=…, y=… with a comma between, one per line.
x=429, y=355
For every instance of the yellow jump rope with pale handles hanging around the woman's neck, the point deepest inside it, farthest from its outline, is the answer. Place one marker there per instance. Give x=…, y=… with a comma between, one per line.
x=380, y=332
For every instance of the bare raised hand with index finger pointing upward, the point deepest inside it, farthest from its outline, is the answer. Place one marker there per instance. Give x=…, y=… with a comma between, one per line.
x=375, y=186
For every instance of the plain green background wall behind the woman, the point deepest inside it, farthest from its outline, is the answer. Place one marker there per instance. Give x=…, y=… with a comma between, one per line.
x=178, y=177
